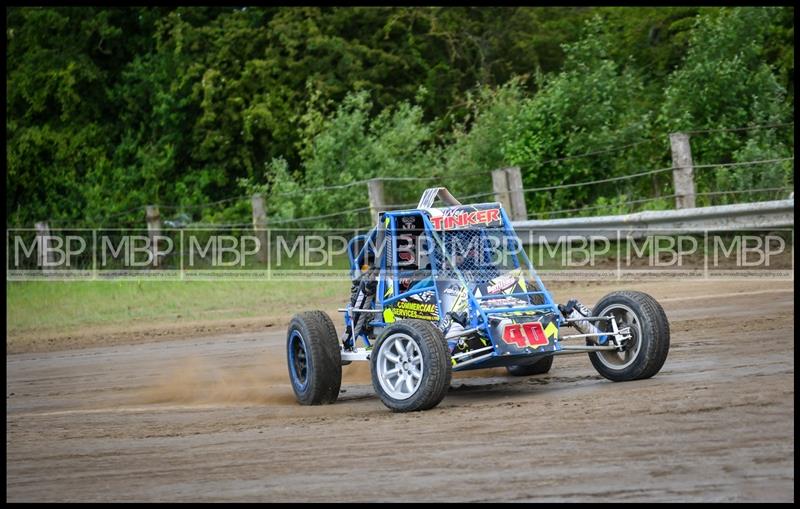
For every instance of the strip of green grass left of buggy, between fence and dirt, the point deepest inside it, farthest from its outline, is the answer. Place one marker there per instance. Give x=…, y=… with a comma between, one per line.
x=71, y=305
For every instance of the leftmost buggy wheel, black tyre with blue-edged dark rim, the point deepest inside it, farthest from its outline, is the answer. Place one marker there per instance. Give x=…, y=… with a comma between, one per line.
x=314, y=358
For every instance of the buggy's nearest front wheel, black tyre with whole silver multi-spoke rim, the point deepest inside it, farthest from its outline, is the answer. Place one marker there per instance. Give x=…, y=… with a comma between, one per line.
x=410, y=366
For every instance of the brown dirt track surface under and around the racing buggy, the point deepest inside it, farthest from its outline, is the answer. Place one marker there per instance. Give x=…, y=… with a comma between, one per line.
x=213, y=419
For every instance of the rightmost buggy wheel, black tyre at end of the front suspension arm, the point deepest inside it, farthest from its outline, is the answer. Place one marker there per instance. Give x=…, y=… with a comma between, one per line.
x=647, y=349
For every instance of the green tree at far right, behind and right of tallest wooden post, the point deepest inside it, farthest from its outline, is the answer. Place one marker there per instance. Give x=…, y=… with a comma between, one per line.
x=725, y=82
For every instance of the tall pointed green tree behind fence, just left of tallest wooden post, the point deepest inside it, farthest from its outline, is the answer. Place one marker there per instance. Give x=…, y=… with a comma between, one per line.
x=593, y=104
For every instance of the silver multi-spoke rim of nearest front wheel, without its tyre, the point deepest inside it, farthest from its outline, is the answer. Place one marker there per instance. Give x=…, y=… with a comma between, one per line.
x=400, y=366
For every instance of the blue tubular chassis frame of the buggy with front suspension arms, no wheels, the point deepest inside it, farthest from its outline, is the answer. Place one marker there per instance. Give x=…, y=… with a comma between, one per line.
x=484, y=321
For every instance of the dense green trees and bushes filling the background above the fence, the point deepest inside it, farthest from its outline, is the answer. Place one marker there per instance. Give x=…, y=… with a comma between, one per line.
x=109, y=109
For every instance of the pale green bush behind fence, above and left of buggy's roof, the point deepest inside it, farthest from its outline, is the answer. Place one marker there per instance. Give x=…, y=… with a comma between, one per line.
x=348, y=148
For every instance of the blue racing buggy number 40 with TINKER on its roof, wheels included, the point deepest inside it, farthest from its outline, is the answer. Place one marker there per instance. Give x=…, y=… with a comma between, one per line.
x=451, y=288
